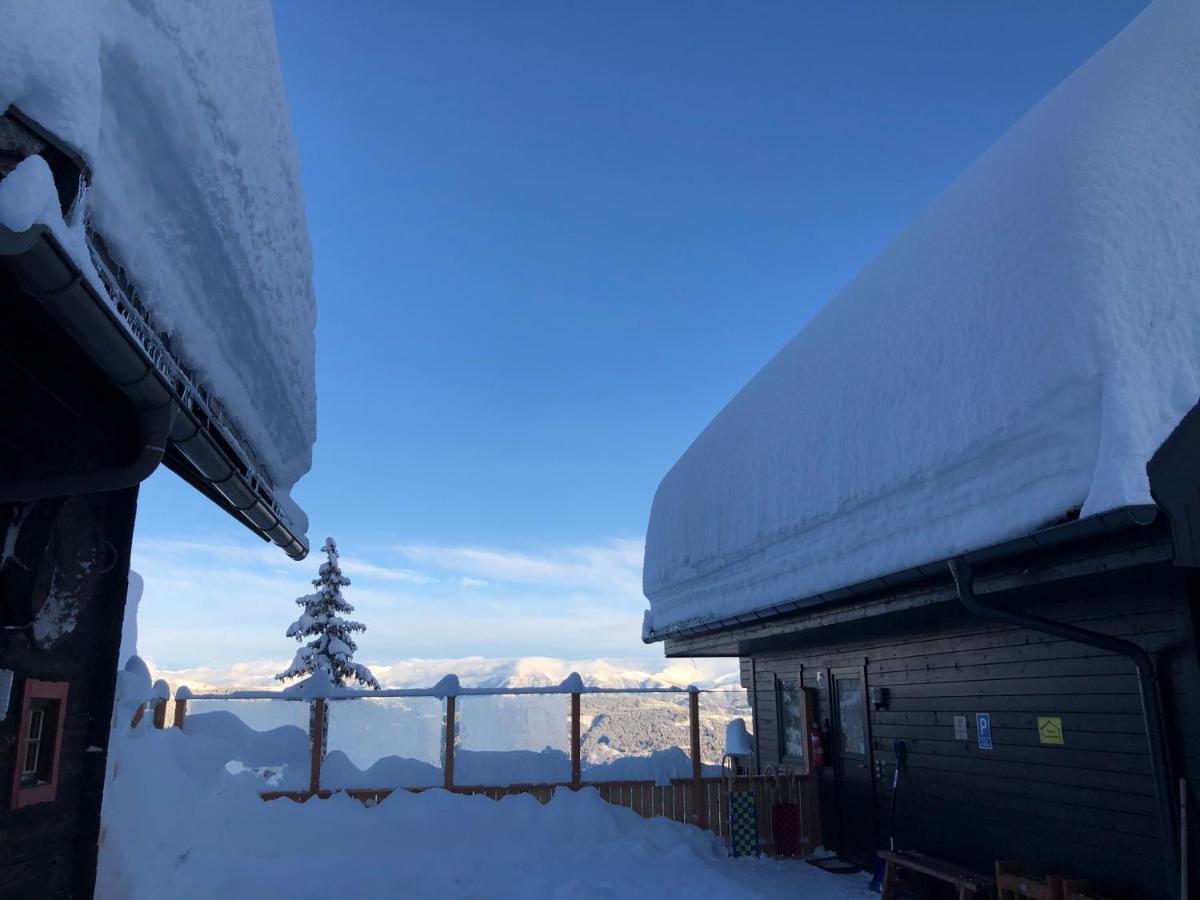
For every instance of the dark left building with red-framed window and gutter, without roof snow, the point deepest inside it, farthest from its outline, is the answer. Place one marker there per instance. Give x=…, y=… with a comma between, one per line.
x=92, y=404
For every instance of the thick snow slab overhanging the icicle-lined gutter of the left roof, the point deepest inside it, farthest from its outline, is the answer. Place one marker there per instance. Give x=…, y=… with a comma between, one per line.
x=179, y=111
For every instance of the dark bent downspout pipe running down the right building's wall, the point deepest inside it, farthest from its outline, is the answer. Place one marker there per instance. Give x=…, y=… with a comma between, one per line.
x=1148, y=686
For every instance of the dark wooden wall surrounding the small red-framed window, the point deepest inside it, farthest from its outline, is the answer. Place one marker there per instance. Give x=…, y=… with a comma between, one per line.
x=50, y=850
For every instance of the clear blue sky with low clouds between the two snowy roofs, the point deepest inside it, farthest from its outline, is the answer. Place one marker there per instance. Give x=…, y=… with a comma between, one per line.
x=551, y=242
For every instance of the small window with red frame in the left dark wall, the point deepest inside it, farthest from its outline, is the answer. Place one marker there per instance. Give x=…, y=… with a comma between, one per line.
x=39, y=743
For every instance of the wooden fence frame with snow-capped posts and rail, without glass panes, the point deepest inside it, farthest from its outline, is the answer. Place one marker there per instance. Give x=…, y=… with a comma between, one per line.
x=701, y=801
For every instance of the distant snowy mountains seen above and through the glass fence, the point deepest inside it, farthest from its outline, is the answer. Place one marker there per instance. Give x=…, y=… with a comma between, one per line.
x=614, y=727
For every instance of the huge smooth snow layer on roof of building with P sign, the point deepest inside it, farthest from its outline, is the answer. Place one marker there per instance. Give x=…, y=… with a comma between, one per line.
x=1021, y=351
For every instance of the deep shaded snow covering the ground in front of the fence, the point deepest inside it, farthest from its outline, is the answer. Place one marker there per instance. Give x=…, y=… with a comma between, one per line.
x=179, y=824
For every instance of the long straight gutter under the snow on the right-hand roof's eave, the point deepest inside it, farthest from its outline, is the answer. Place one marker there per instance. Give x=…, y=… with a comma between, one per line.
x=1118, y=520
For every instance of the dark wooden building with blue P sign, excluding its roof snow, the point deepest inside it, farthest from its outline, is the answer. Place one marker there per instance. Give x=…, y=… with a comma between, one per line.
x=1069, y=776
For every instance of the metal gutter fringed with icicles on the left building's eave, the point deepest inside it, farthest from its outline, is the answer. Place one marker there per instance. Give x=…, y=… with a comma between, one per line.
x=191, y=429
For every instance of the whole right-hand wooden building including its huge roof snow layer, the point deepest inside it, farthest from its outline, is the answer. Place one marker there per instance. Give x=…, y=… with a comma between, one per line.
x=956, y=523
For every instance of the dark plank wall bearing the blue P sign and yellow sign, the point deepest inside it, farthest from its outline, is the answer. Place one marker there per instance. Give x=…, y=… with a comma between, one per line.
x=1088, y=808
